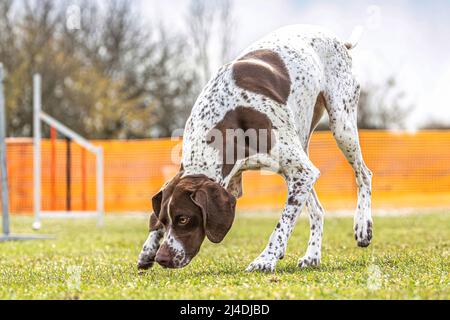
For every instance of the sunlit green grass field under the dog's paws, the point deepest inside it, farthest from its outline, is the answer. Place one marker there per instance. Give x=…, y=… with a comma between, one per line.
x=409, y=259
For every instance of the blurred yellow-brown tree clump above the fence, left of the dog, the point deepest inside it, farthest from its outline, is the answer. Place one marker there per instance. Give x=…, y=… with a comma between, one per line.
x=116, y=77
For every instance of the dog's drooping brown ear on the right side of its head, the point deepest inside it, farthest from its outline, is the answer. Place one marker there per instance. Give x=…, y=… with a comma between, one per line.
x=218, y=208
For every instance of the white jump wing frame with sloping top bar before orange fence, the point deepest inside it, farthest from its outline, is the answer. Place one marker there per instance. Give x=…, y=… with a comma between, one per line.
x=38, y=116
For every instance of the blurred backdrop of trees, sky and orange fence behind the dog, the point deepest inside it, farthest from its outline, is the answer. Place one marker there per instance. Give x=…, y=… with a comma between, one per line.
x=126, y=75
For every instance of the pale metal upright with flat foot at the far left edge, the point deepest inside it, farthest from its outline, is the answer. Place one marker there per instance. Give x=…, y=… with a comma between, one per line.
x=7, y=236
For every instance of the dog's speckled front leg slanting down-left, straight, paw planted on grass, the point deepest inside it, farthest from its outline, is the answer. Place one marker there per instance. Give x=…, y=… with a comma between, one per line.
x=300, y=176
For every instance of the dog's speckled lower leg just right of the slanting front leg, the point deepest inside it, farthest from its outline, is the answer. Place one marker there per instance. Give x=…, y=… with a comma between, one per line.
x=316, y=217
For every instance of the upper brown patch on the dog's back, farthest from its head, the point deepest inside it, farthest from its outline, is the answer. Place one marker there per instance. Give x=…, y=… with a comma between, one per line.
x=263, y=72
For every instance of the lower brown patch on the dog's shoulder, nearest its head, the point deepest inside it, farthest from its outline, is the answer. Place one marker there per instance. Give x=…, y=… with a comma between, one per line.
x=248, y=120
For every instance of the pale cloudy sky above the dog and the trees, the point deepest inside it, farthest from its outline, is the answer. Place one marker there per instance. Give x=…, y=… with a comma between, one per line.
x=408, y=39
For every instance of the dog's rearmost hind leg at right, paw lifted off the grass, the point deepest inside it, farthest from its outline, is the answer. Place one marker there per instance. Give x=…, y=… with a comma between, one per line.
x=342, y=106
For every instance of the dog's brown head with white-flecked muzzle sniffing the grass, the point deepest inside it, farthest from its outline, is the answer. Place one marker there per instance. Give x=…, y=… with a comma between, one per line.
x=189, y=209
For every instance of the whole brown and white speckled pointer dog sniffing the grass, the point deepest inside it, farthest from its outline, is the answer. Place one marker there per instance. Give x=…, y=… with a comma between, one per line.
x=258, y=113
